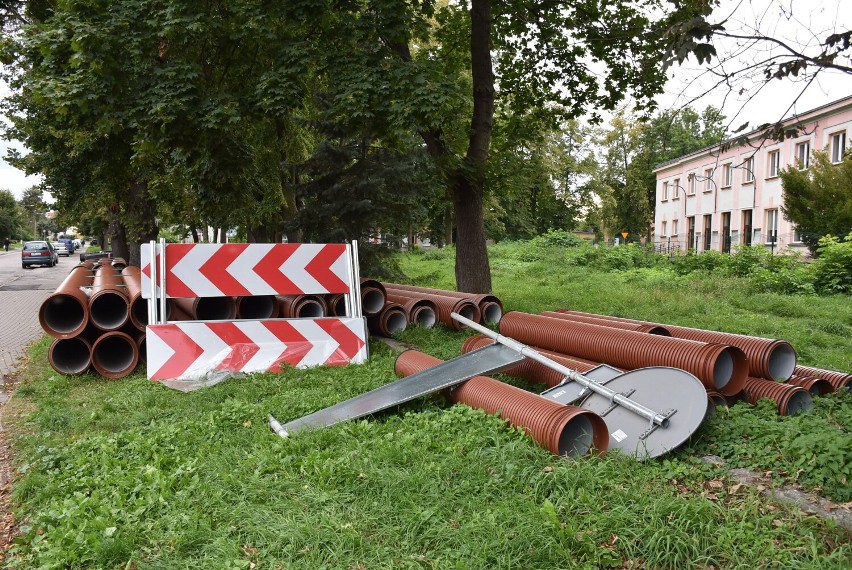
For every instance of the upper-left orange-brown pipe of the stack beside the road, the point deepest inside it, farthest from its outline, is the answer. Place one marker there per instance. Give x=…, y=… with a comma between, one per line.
x=65, y=313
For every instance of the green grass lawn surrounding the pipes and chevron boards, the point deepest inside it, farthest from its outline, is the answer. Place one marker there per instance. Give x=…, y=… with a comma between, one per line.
x=131, y=474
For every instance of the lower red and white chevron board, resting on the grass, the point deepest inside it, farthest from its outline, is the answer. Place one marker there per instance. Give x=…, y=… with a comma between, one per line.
x=190, y=350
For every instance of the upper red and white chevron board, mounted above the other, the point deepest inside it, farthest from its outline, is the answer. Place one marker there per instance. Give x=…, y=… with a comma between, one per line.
x=241, y=269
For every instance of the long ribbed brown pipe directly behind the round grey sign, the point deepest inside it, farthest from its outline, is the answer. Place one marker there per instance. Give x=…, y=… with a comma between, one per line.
x=718, y=367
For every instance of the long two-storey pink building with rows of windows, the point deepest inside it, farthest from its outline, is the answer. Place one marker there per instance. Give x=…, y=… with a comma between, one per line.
x=715, y=198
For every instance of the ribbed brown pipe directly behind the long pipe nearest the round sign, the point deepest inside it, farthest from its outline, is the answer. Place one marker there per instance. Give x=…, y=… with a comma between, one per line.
x=772, y=359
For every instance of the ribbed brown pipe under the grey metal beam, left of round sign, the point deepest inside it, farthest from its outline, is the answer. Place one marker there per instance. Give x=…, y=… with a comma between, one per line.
x=563, y=430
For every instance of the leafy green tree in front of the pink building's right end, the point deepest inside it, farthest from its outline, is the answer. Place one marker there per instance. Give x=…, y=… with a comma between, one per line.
x=819, y=200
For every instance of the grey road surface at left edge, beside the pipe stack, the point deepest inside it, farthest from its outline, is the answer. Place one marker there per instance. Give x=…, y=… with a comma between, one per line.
x=21, y=293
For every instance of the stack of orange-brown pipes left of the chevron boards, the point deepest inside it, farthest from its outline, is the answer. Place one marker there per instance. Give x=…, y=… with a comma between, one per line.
x=89, y=318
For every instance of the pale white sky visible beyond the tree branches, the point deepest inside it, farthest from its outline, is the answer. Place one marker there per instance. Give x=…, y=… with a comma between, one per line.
x=798, y=22
